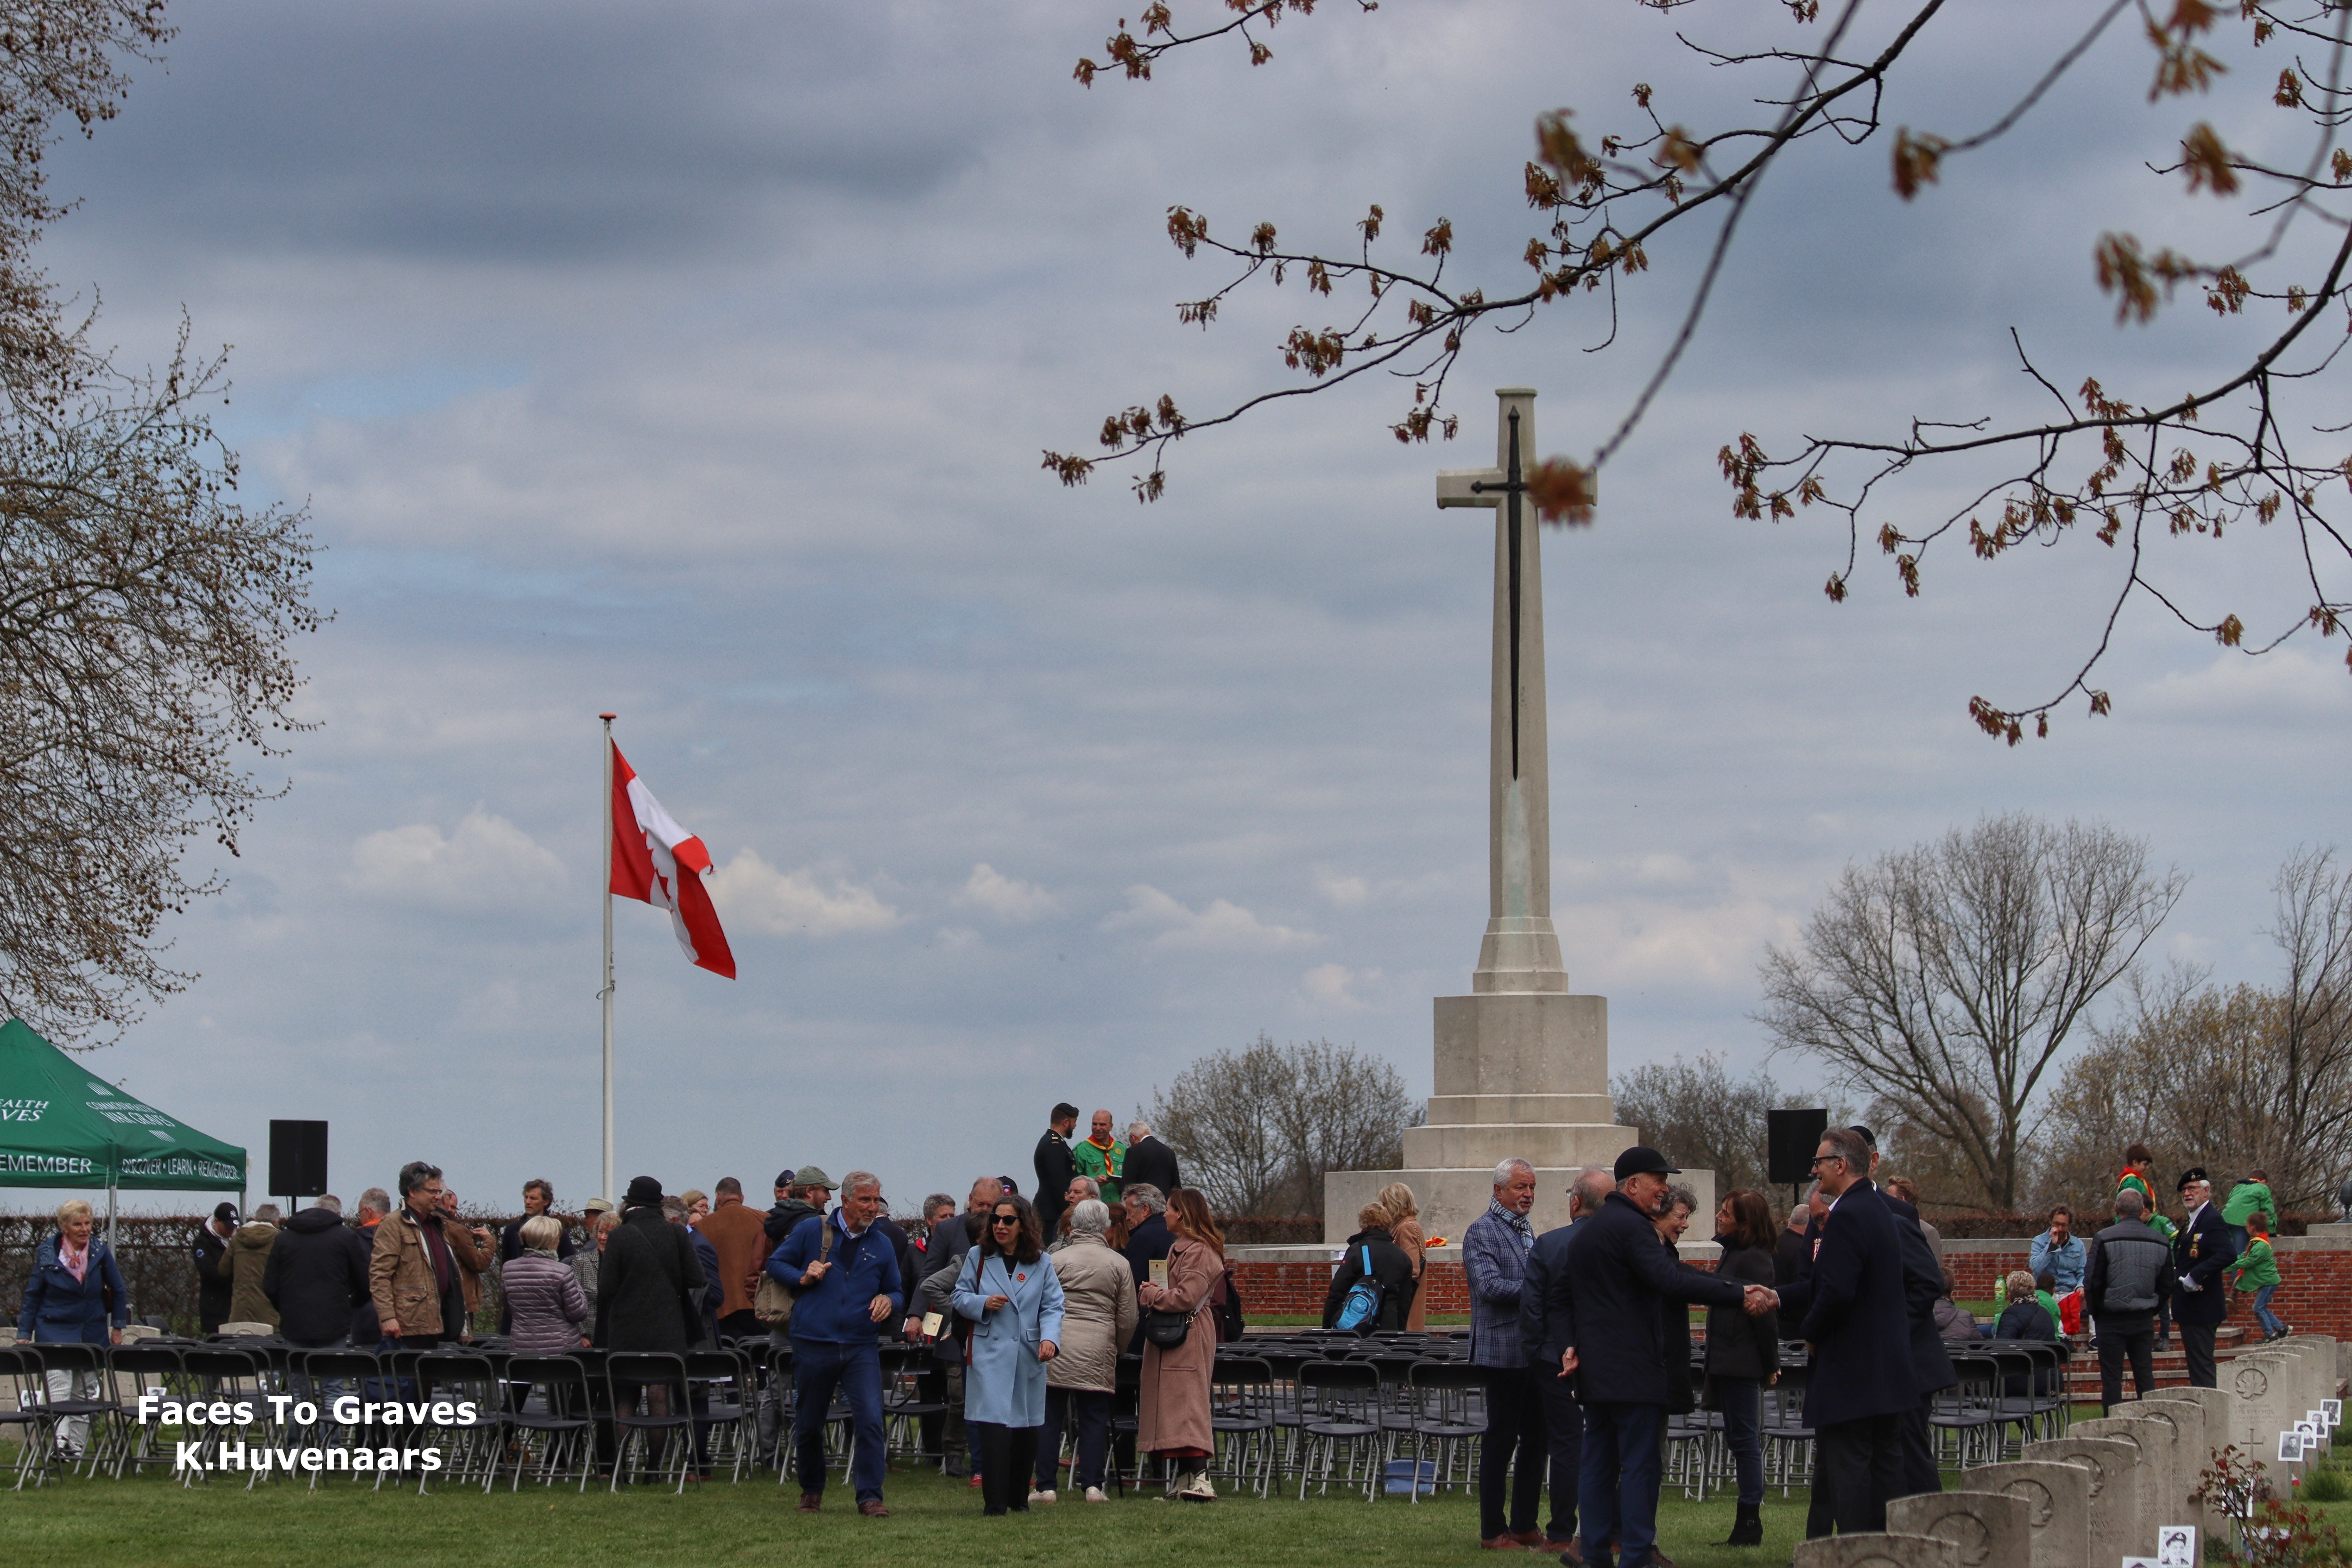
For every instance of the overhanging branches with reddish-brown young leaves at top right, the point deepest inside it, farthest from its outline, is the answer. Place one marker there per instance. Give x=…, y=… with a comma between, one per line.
x=2125, y=460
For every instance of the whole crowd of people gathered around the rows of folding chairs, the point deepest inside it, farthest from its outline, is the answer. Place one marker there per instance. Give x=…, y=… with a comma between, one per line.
x=1027, y=1304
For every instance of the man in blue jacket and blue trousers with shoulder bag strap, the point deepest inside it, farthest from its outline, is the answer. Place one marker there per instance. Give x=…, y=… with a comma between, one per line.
x=846, y=1294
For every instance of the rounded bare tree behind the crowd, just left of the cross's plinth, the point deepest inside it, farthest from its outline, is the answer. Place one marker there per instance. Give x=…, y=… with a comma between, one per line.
x=1259, y=1127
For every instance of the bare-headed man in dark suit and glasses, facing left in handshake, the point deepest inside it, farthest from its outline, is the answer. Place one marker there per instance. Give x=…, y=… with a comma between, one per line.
x=1857, y=1322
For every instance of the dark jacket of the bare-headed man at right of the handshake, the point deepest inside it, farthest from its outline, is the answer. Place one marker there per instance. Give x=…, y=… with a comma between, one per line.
x=1857, y=1315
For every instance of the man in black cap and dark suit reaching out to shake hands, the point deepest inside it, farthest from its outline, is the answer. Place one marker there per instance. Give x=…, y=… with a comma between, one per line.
x=1612, y=1341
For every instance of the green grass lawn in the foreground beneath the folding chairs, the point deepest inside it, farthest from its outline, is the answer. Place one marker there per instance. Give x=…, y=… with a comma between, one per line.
x=156, y=1522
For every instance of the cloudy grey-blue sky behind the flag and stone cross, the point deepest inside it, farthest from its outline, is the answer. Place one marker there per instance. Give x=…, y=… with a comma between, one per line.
x=697, y=366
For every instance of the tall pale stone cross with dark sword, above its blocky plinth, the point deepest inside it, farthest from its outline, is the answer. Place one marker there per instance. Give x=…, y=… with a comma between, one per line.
x=1523, y=949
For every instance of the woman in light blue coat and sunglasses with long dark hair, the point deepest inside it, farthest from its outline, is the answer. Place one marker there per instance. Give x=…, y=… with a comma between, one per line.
x=1013, y=1296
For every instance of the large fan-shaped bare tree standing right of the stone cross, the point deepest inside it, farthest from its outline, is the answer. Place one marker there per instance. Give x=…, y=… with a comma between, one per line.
x=1949, y=977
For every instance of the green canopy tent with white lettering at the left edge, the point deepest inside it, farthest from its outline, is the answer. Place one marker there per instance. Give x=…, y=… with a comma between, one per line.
x=67, y=1127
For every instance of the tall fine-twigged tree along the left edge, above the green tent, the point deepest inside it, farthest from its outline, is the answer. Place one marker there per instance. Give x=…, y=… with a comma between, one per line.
x=145, y=612
